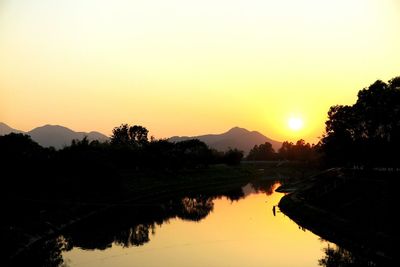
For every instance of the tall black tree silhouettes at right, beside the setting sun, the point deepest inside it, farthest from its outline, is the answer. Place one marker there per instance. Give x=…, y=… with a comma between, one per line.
x=368, y=132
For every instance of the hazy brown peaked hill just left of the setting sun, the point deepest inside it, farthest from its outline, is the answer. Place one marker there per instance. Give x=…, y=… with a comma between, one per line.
x=236, y=137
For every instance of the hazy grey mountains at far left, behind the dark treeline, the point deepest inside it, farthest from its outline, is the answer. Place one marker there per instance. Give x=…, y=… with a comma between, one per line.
x=54, y=135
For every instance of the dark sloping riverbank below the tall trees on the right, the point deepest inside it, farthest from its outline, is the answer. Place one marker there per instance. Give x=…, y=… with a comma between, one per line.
x=350, y=208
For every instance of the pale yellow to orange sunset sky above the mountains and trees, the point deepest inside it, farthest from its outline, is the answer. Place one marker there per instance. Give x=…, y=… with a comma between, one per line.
x=183, y=67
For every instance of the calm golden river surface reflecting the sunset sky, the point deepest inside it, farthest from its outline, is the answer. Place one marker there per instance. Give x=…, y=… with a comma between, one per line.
x=225, y=232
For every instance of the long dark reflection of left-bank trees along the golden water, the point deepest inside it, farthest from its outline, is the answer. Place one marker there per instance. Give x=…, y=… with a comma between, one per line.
x=131, y=225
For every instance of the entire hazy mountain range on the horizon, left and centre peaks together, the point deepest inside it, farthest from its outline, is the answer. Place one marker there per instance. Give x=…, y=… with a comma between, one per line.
x=60, y=136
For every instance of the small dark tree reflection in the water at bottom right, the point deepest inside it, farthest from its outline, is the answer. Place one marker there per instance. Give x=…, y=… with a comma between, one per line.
x=339, y=257
